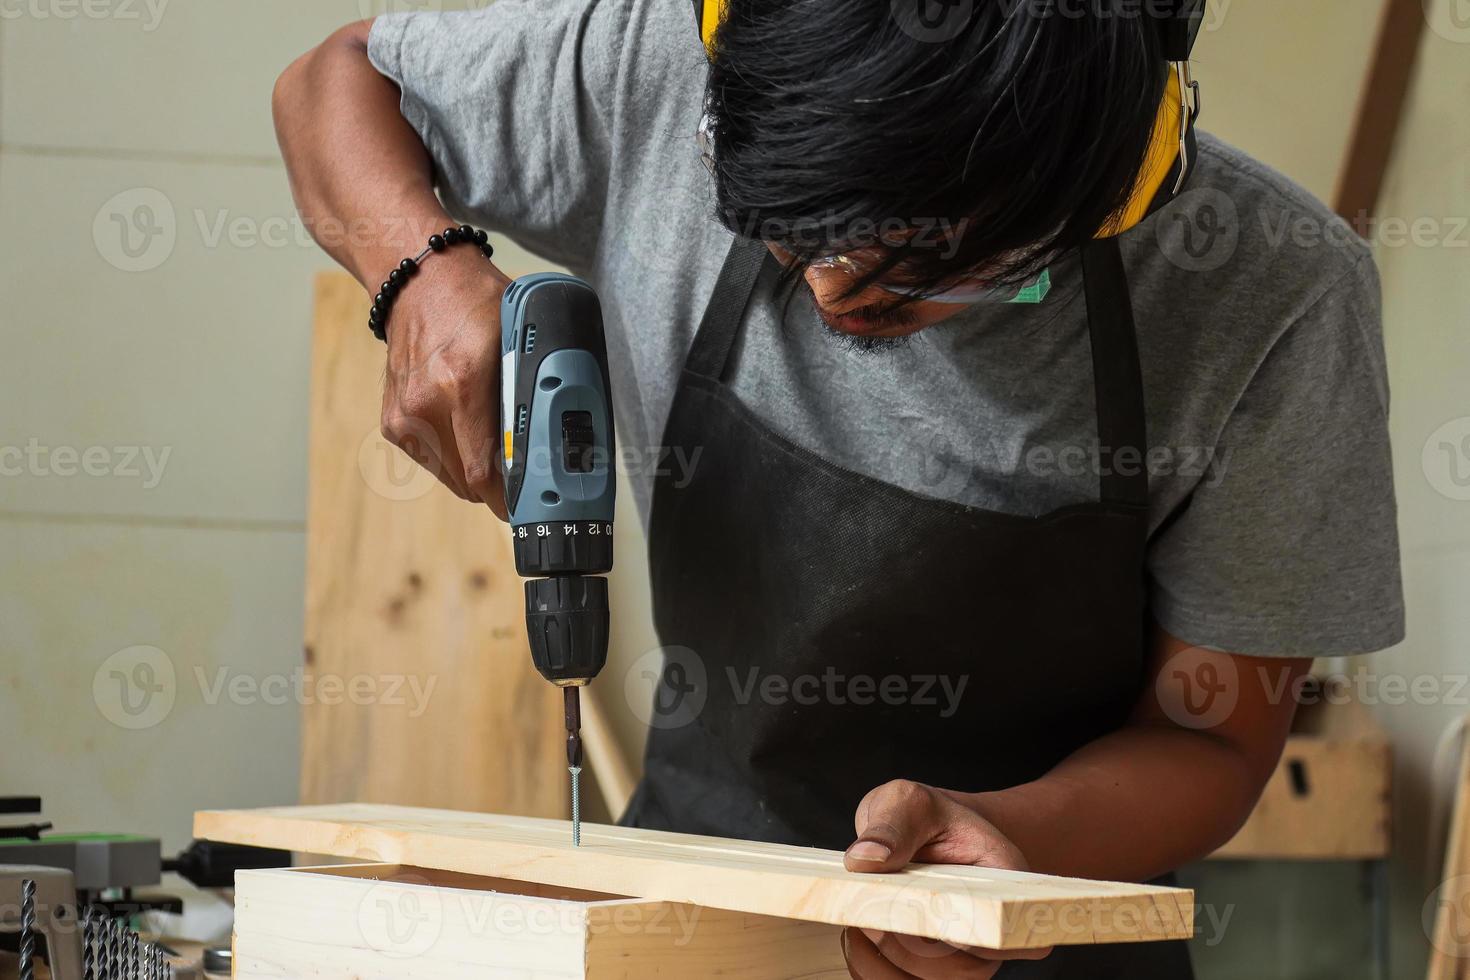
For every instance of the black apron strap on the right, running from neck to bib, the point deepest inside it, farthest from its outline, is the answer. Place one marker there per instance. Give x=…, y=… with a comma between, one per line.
x=1118, y=380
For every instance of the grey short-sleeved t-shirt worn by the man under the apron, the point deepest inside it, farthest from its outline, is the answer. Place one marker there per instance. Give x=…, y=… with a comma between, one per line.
x=570, y=126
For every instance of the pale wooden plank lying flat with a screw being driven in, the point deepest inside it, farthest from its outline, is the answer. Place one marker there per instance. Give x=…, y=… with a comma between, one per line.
x=981, y=907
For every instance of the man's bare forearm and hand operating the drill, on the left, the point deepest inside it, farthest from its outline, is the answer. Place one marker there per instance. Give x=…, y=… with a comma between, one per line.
x=442, y=399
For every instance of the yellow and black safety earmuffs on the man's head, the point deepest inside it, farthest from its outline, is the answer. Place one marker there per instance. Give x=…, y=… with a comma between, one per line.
x=1172, y=149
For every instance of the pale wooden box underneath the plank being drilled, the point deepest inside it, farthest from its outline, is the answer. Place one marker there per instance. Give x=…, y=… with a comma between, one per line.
x=352, y=923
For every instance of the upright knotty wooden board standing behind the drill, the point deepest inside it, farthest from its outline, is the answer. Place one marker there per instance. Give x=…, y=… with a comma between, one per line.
x=412, y=596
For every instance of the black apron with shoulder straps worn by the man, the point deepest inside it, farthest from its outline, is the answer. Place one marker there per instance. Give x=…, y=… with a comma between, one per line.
x=821, y=622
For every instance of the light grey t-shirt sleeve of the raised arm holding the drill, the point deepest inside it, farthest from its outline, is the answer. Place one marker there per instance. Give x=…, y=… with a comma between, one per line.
x=514, y=102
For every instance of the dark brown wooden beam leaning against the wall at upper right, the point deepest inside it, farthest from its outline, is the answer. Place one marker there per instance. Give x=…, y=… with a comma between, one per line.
x=1381, y=111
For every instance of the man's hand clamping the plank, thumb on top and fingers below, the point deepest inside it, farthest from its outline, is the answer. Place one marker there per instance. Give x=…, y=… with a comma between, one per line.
x=900, y=824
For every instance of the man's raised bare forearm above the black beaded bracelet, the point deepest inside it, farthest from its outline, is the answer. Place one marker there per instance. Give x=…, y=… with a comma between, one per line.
x=362, y=179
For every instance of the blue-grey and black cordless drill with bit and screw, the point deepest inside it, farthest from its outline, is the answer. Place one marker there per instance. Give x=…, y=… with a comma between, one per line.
x=561, y=486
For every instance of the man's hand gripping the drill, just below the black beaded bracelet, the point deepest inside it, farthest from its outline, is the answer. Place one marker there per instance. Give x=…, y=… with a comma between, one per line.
x=442, y=396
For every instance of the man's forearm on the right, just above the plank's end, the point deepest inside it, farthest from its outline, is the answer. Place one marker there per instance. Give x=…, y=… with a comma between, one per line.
x=1133, y=806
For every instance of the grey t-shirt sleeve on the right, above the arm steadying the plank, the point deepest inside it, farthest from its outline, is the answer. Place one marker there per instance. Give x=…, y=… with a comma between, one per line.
x=1290, y=546
